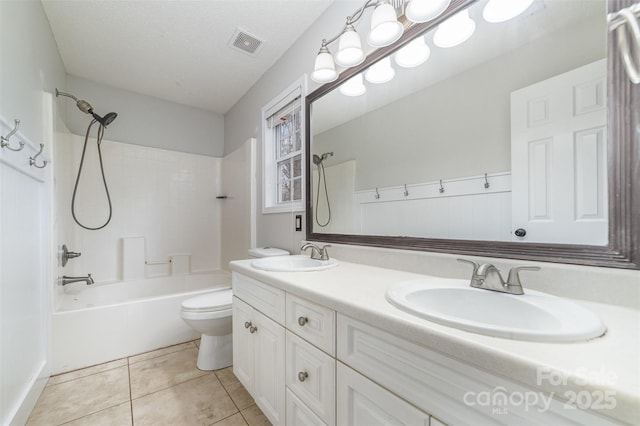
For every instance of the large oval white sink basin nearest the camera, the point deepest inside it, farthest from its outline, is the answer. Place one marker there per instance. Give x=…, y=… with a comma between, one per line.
x=533, y=316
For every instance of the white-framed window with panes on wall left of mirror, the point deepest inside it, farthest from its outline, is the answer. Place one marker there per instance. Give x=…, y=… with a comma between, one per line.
x=283, y=149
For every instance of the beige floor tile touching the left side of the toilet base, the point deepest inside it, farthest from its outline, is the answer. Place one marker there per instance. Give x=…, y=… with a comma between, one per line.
x=164, y=371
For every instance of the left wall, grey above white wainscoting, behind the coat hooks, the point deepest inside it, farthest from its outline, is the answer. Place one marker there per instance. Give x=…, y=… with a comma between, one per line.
x=30, y=68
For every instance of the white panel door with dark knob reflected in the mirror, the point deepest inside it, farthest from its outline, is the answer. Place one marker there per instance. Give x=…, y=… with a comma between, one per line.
x=558, y=158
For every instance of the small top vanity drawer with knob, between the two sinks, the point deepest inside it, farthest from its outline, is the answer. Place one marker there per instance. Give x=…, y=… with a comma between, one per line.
x=312, y=322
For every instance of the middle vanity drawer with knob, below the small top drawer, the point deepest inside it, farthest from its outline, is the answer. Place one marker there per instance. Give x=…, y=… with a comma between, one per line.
x=311, y=376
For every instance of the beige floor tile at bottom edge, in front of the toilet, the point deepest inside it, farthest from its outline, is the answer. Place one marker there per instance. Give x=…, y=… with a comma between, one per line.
x=201, y=401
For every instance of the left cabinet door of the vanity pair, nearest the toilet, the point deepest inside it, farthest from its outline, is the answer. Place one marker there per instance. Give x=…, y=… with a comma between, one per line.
x=243, y=344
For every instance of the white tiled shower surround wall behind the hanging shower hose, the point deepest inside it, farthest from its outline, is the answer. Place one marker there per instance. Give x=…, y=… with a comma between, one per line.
x=167, y=197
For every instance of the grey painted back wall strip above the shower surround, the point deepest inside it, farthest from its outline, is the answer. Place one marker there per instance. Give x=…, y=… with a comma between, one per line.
x=145, y=120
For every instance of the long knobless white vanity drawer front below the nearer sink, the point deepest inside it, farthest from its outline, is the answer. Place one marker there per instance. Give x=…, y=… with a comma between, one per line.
x=443, y=386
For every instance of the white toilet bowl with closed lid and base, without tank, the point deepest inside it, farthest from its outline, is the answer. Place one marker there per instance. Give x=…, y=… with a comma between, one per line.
x=210, y=314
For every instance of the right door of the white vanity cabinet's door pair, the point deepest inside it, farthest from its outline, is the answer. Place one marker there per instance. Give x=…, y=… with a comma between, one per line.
x=269, y=368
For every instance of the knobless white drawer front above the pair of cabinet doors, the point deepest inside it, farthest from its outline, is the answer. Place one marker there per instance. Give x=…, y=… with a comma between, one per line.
x=266, y=299
